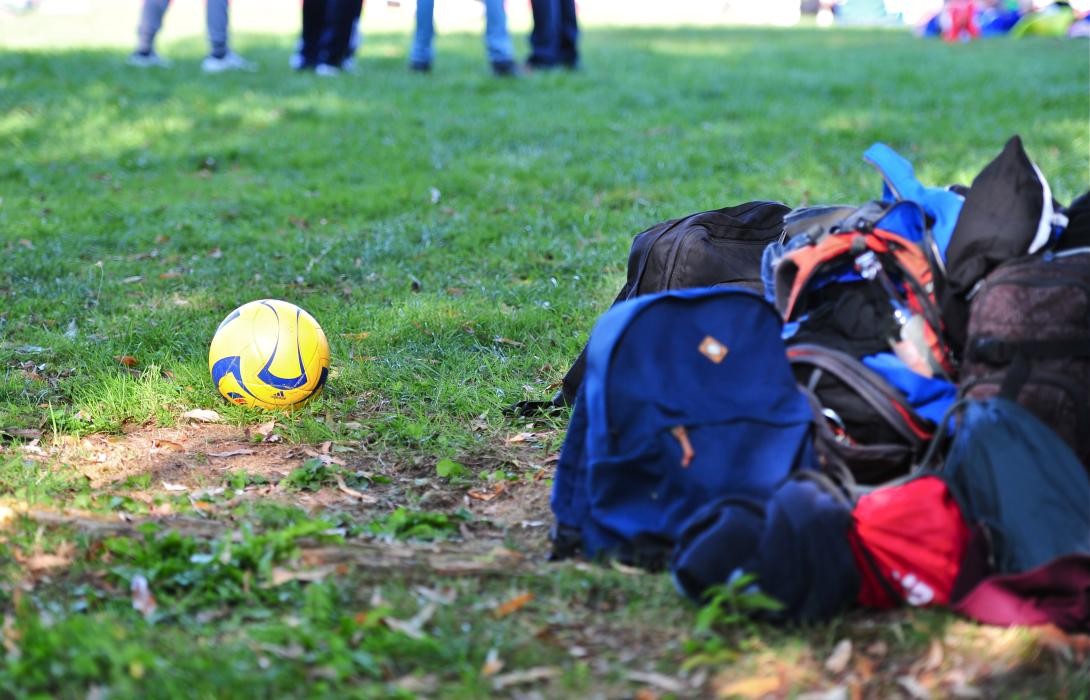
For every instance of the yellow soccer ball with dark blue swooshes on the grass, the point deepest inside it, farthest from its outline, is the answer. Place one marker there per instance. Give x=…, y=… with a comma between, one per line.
x=270, y=354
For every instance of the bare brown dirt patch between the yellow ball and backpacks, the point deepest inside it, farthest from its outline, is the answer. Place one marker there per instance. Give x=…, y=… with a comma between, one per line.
x=197, y=461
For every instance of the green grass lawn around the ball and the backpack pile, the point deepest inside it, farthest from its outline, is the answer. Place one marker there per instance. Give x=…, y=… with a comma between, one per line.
x=456, y=236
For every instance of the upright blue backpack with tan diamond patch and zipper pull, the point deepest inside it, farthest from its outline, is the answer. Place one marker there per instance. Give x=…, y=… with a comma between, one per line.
x=688, y=399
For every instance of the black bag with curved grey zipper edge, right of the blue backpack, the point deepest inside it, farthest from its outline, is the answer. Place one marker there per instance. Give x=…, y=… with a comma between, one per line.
x=866, y=426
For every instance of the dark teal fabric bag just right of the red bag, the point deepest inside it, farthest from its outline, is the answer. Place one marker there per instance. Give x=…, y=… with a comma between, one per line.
x=1012, y=473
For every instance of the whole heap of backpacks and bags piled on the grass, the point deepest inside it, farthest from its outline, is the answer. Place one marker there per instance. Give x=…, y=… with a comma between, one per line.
x=851, y=406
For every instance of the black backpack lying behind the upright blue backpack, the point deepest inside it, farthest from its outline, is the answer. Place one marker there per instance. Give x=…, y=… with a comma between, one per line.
x=710, y=249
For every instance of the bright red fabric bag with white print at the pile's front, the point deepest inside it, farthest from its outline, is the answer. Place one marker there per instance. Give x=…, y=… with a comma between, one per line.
x=910, y=541
